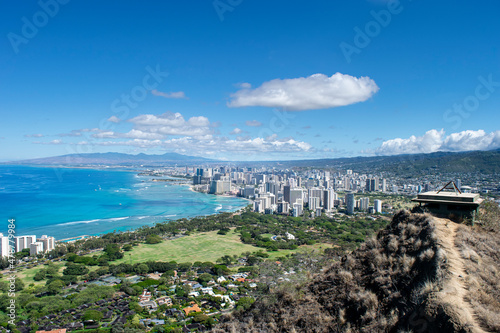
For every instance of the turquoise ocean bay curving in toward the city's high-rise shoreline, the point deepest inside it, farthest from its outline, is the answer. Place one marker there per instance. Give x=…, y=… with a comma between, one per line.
x=70, y=202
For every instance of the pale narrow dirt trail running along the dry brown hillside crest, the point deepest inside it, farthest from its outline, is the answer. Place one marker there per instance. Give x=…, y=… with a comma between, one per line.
x=454, y=288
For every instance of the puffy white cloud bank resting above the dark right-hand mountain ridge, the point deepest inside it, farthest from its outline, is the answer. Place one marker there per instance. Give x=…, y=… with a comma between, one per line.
x=434, y=140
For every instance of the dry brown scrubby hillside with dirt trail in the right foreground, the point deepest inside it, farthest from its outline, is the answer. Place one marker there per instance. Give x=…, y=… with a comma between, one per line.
x=420, y=274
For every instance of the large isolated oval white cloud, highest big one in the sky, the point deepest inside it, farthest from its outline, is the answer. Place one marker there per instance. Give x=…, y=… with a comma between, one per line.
x=317, y=91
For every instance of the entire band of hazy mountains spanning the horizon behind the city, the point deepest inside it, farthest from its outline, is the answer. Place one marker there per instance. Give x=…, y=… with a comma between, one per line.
x=487, y=162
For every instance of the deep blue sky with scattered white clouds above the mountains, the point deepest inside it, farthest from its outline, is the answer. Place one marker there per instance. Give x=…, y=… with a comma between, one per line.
x=249, y=80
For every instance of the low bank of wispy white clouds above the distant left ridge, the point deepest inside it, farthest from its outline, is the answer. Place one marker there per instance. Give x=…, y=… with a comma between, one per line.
x=194, y=136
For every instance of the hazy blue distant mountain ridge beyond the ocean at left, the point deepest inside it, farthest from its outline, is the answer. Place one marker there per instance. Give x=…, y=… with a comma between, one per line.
x=115, y=159
